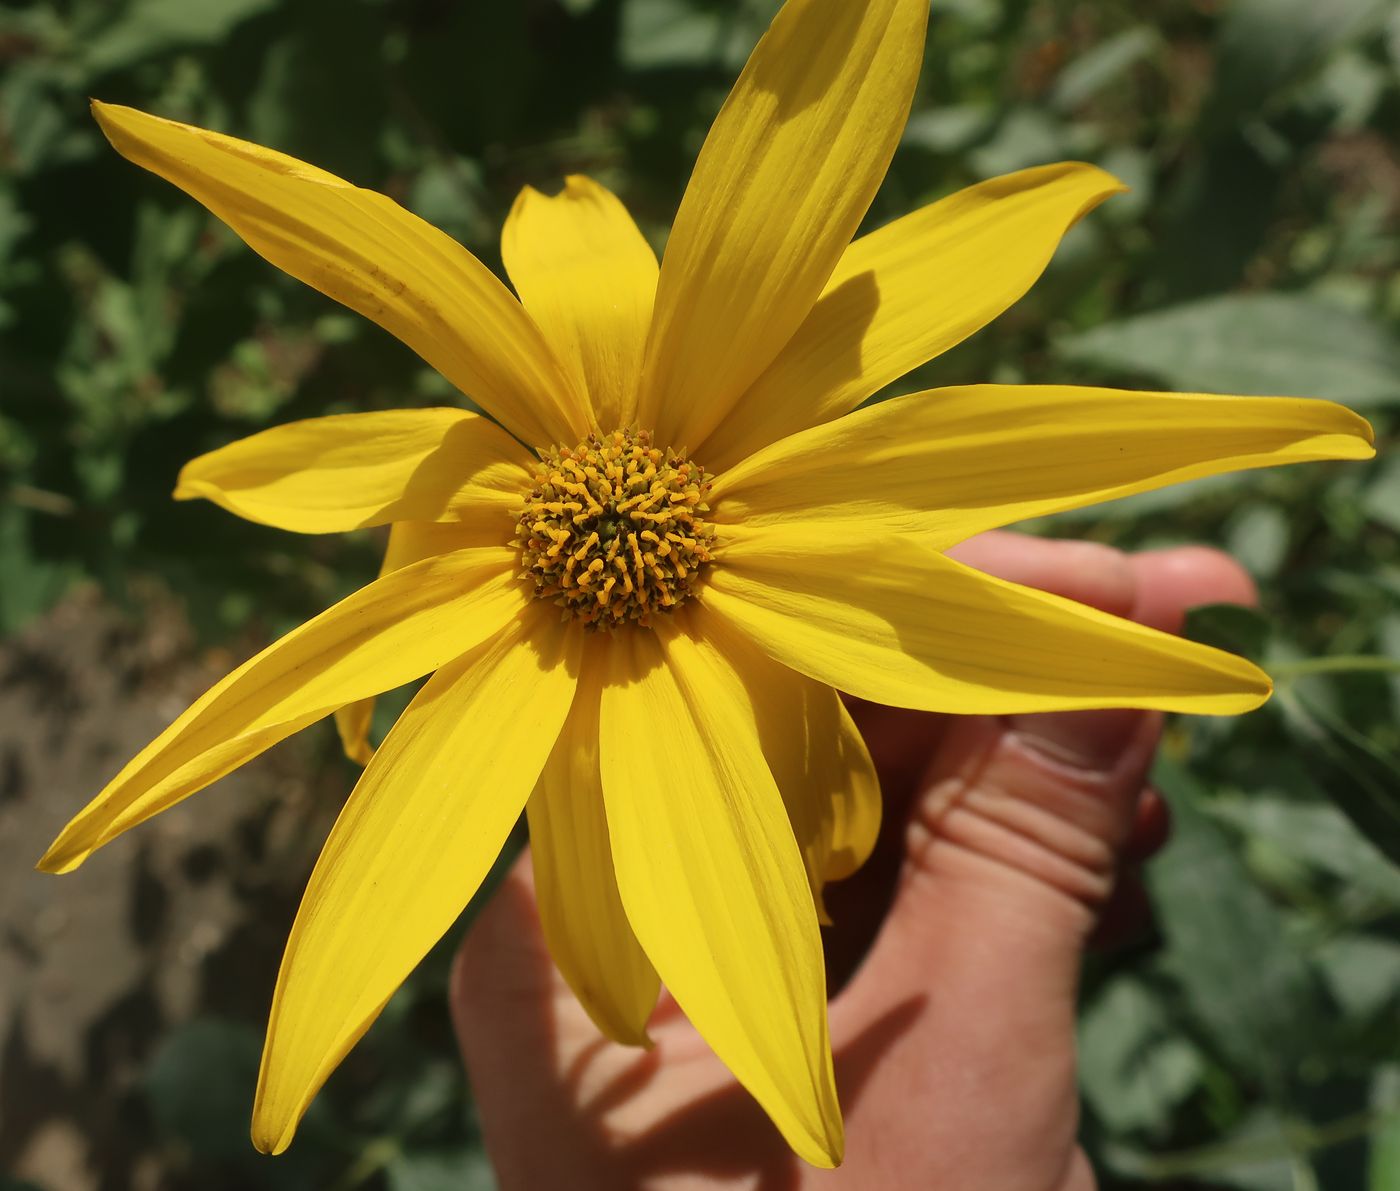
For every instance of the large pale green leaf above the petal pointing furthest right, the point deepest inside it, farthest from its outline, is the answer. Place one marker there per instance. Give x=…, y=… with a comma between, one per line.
x=1251, y=344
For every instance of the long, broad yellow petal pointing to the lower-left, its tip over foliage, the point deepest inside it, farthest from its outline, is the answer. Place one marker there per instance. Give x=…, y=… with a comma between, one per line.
x=411, y=847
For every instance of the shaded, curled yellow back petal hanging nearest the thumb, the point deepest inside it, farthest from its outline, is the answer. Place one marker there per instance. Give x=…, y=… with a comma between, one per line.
x=817, y=758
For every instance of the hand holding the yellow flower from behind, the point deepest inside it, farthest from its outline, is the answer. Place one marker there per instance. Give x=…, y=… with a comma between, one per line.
x=1007, y=843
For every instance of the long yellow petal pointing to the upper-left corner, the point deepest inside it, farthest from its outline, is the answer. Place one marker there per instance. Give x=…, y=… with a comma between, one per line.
x=367, y=253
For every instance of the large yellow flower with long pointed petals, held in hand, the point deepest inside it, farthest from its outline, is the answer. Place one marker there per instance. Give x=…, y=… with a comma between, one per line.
x=640, y=586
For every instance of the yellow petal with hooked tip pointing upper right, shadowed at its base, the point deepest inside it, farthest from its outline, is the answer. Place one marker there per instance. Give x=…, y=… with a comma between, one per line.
x=908, y=293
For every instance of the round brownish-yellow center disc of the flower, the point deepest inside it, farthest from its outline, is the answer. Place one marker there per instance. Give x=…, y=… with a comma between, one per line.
x=612, y=530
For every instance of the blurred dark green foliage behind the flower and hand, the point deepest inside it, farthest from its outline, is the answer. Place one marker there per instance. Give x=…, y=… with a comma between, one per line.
x=1252, y=1042
